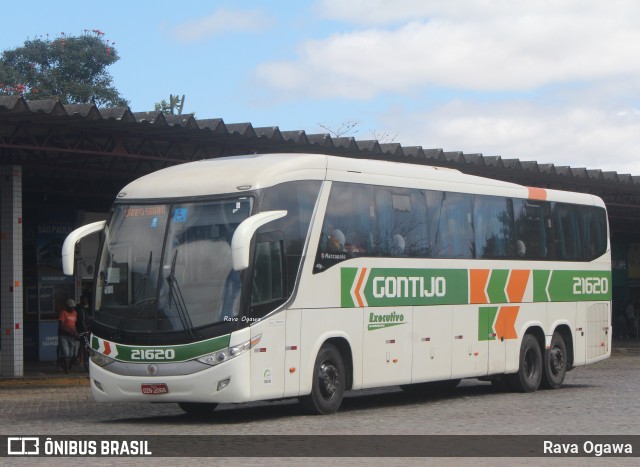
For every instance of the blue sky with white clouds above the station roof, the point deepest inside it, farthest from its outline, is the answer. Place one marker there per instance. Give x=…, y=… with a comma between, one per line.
x=552, y=81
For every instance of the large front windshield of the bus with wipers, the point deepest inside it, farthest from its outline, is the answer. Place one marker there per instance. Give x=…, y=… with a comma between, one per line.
x=168, y=267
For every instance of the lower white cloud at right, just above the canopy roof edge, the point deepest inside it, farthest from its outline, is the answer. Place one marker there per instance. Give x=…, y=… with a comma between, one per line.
x=573, y=135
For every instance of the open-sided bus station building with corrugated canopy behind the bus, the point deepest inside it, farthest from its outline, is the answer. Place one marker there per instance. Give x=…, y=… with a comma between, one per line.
x=61, y=166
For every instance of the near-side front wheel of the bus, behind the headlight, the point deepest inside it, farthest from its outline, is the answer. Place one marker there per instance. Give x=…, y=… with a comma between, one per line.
x=329, y=378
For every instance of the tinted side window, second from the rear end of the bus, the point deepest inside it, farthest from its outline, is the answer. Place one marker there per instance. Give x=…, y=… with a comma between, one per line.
x=566, y=229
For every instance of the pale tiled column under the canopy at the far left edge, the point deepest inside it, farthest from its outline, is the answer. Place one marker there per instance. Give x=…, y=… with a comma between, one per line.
x=11, y=293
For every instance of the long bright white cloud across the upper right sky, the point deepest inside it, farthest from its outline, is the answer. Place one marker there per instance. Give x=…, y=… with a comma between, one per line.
x=520, y=51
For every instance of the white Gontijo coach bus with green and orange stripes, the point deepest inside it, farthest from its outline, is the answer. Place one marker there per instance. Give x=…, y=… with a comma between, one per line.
x=276, y=276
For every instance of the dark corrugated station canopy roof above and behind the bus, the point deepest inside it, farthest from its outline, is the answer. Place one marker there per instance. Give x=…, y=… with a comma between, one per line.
x=81, y=152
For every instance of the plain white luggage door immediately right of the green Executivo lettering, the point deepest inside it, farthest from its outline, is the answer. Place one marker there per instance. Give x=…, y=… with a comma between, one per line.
x=432, y=331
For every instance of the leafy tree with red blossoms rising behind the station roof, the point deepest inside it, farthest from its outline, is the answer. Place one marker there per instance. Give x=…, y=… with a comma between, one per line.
x=70, y=68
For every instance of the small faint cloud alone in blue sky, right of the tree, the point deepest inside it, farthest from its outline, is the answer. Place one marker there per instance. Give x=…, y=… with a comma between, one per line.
x=221, y=22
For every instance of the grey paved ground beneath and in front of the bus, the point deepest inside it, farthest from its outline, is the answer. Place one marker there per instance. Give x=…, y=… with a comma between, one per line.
x=599, y=399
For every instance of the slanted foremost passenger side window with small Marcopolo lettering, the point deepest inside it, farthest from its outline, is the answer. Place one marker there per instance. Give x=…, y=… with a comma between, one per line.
x=347, y=231
